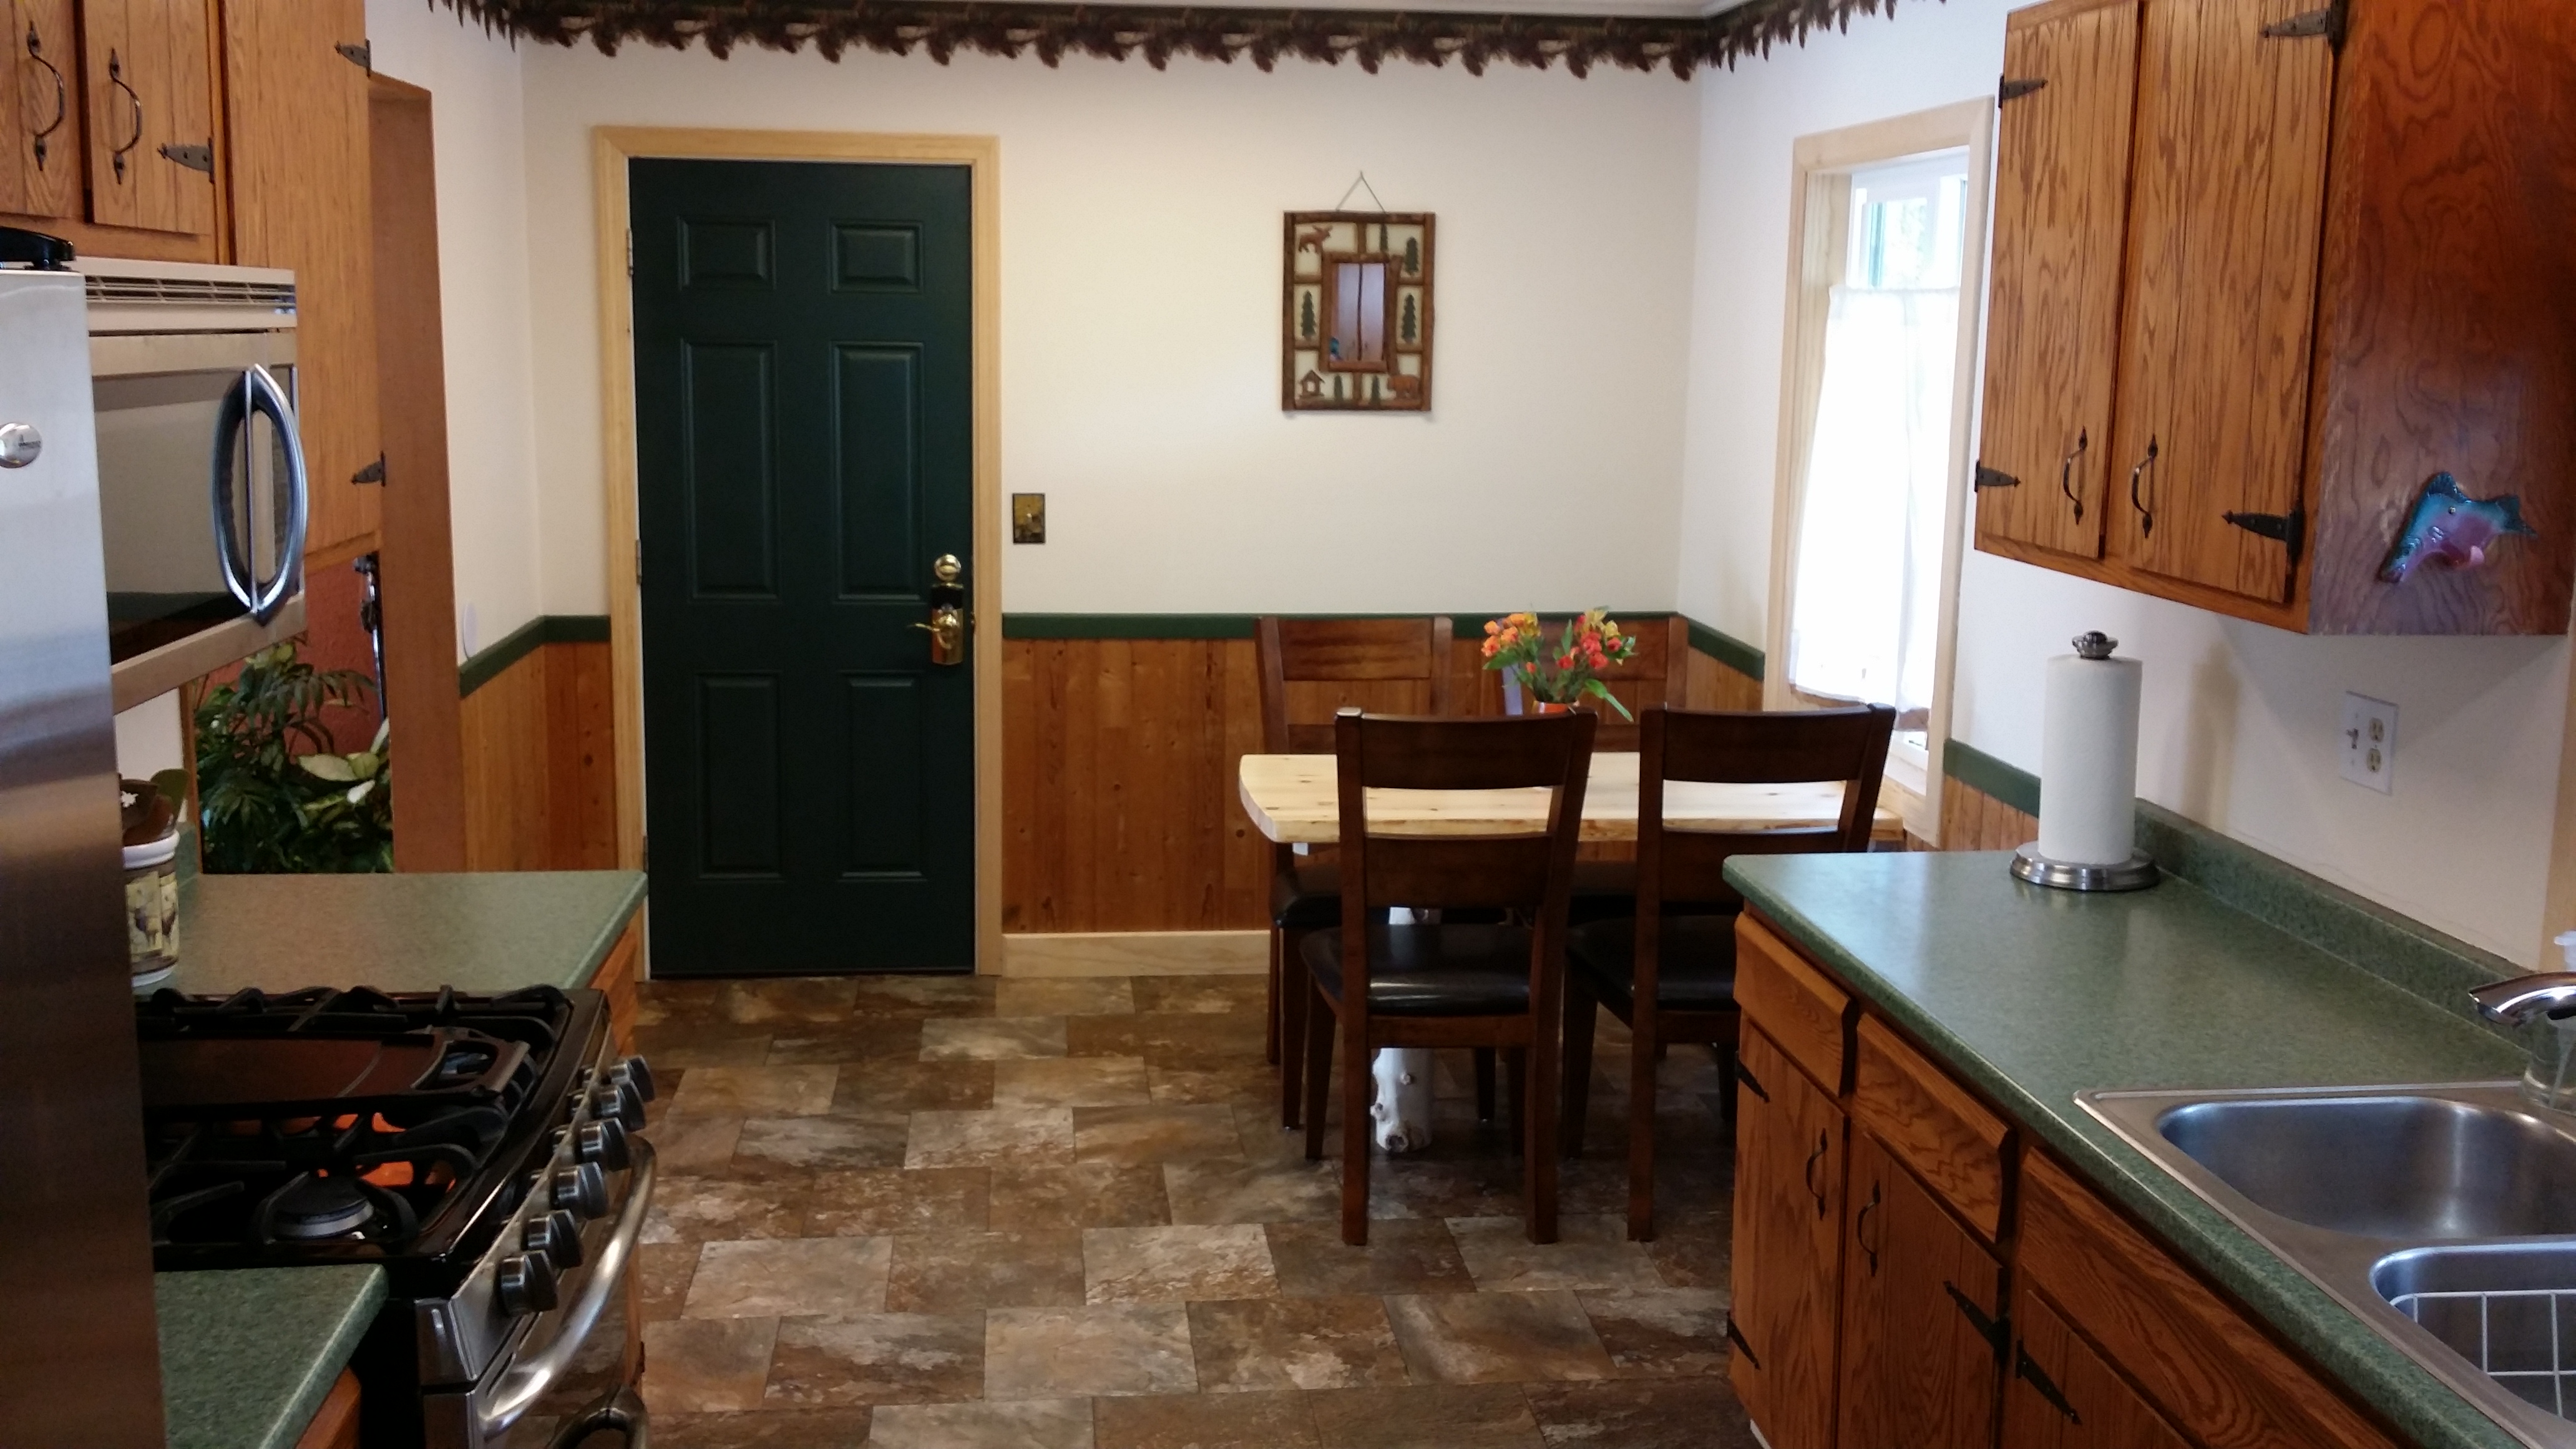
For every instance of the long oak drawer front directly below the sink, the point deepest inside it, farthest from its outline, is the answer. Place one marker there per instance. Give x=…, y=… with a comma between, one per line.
x=2209, y=1368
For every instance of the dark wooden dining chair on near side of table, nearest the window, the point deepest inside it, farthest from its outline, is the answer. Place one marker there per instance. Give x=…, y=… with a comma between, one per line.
x=1678, y=981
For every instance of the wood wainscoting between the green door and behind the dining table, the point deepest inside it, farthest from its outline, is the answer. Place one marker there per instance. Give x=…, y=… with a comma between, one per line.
x=1119, y=775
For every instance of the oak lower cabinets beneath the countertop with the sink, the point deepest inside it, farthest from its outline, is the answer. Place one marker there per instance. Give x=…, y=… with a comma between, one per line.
x=1884, y=1213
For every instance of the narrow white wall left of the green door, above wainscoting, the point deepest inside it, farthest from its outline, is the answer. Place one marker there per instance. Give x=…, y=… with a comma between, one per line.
x=483, y=293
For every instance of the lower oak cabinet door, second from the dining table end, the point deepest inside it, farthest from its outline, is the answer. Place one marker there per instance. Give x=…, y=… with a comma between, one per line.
x=1920, y=1316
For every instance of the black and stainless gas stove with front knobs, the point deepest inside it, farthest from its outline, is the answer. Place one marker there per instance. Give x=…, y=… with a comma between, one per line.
x=480, y=1149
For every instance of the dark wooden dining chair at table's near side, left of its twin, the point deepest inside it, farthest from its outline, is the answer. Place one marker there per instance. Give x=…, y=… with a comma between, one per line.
x=1488, y=986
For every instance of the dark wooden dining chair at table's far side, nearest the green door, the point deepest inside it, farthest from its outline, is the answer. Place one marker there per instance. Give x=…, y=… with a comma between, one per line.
x=1310, y=672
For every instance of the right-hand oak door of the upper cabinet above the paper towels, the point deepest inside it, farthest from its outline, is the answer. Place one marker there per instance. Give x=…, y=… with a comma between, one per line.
x=2227, y=220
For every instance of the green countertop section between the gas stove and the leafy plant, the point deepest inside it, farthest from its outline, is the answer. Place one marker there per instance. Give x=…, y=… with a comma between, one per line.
x=480, y=932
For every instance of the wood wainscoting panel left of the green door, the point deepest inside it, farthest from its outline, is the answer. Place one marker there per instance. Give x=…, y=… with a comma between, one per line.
x=542, y=764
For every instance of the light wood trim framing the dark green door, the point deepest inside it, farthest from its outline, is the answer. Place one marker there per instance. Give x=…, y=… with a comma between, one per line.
x=609, y=153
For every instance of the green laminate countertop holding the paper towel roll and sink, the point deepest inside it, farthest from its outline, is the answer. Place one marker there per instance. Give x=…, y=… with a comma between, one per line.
x=2036, y=994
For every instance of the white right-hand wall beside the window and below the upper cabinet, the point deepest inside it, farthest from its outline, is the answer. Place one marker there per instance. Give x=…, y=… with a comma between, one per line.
x=2240, y=723
